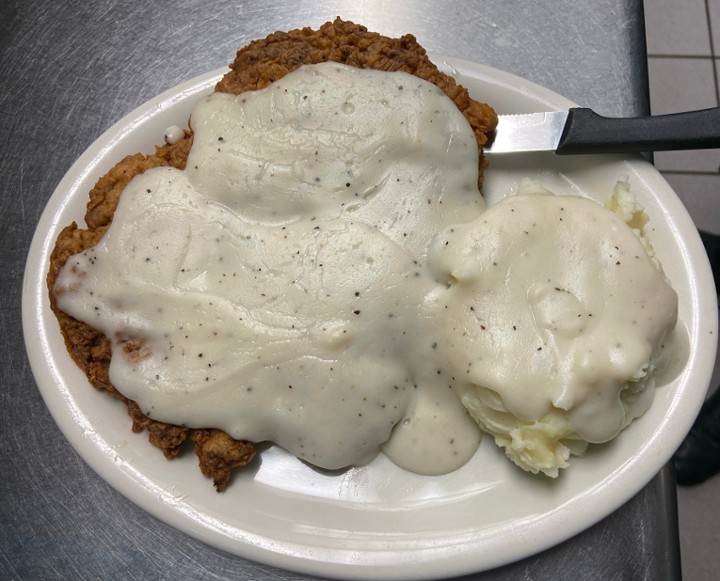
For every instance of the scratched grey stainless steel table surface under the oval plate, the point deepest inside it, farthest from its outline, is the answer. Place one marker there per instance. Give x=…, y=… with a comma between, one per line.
x=70, y=69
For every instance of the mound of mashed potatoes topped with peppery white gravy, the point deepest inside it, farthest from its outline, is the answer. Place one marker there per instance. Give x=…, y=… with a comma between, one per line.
x=559, y=328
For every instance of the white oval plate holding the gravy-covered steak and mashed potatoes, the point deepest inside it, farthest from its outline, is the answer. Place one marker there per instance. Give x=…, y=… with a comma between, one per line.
x=380, y=521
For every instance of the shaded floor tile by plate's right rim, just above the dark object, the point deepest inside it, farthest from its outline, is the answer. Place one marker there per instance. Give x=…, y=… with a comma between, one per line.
x=701, y=196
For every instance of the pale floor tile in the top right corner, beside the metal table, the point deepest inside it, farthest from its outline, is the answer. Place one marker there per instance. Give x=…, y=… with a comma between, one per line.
x=677, y=27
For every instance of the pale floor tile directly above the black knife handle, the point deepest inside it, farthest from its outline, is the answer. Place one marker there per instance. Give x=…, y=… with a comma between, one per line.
x=680, y=84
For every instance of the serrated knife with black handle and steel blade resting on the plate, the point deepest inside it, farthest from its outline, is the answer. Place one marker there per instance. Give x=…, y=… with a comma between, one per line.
x=581, y=130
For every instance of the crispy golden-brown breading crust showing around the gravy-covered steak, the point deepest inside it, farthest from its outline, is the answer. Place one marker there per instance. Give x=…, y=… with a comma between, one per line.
x=255, y=66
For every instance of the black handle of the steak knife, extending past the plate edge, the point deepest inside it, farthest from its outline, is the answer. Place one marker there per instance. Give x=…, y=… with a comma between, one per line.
x=587, y=132
